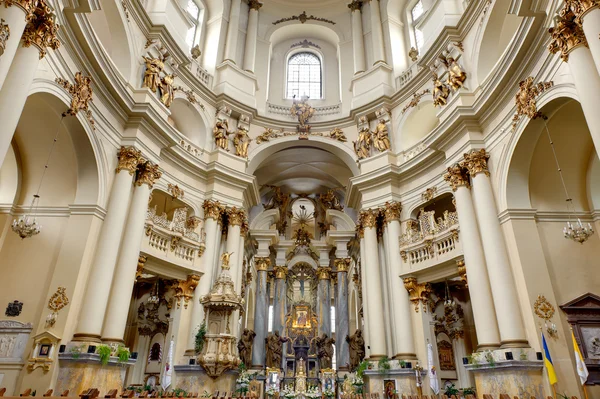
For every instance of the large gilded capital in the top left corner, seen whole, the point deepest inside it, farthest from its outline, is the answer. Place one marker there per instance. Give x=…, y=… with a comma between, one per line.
x=42, y=30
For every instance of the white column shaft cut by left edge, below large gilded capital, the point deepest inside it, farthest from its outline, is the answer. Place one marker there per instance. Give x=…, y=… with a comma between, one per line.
x=14, y=93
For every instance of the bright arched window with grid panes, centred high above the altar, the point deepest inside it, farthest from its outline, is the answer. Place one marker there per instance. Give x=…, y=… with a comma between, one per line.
x=304, y=76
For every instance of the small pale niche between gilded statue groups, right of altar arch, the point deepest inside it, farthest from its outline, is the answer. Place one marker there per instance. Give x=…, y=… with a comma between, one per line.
x=420, y=121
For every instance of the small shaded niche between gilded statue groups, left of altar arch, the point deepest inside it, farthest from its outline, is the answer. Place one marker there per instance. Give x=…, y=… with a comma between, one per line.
x=189, y=121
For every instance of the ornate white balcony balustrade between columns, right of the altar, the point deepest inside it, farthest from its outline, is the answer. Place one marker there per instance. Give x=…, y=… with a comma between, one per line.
x=435, y=241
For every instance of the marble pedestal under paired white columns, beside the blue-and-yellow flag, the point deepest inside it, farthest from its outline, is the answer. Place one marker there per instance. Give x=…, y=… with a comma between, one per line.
x=515, y=378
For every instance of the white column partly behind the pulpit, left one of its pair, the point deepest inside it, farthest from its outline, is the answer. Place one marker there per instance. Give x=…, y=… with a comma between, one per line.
x=212, y=228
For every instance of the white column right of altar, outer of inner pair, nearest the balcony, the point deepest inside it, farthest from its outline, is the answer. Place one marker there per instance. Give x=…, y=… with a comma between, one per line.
x=402, y=331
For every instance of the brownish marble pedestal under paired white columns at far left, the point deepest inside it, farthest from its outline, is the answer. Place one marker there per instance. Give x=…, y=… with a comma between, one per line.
x=86, y=371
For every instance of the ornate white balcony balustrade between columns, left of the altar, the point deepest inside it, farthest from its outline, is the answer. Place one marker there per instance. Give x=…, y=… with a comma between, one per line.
x=175, y=241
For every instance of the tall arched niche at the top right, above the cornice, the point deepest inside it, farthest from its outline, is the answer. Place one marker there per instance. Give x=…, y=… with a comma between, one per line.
x=494, y=38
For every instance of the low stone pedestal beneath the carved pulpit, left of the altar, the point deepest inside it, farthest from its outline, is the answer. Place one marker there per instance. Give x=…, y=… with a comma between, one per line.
x=193, y=378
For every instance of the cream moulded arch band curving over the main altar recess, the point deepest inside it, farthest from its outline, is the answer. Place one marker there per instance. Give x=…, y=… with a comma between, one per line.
x=262, y=152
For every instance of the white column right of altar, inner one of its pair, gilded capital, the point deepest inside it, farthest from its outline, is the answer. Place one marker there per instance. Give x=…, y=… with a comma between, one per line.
x=374, y=312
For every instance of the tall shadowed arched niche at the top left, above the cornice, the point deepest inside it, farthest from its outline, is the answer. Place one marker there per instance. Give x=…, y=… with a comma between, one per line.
x=111, y=31
